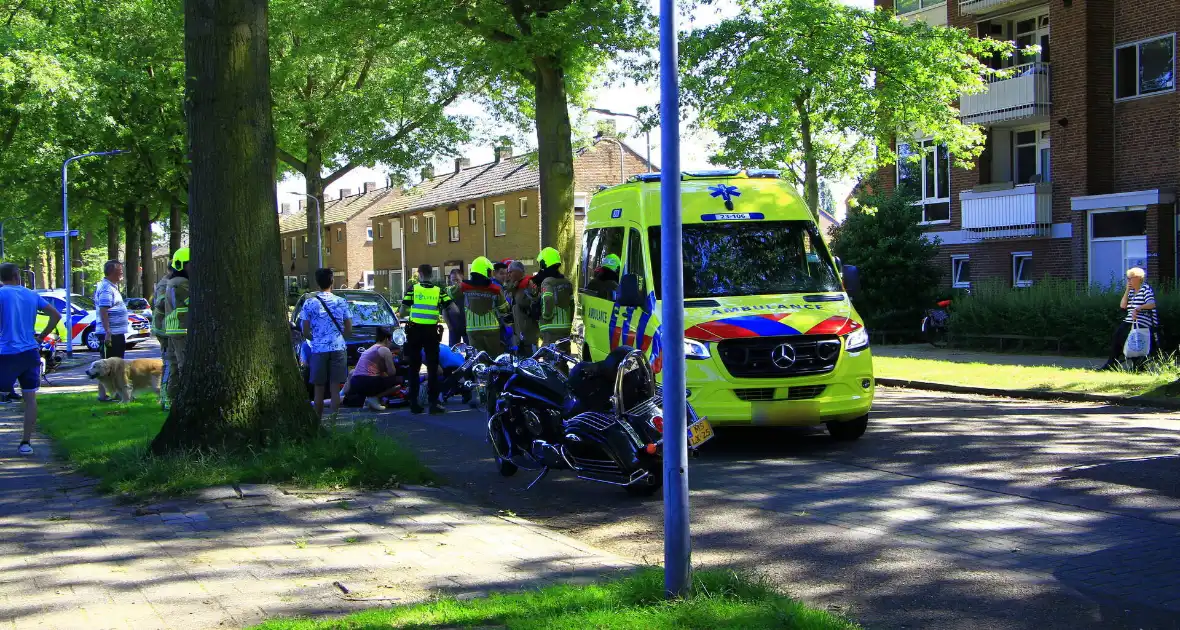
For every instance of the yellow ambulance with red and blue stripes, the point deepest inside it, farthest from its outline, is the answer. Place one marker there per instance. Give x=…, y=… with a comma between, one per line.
x=771, y=334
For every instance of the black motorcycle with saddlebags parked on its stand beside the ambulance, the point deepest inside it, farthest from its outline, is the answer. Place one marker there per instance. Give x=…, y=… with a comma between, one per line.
x=605, y=422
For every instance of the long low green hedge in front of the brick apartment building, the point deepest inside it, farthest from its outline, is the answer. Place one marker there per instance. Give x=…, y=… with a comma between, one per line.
x=1084, y=318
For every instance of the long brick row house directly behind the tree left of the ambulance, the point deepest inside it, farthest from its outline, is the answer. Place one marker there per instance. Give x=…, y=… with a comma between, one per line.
x=487, y=211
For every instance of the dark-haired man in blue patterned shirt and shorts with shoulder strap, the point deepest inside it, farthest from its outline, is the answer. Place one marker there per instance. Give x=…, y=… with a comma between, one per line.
x=327, y=321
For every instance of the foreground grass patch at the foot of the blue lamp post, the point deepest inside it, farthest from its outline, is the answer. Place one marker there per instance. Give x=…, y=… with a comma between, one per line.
x=722, y=601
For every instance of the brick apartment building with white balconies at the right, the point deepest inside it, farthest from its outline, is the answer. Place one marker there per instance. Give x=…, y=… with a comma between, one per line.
x=1083, y=157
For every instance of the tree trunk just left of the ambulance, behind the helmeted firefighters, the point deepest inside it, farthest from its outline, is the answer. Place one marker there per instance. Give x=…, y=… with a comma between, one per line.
x=555, y=156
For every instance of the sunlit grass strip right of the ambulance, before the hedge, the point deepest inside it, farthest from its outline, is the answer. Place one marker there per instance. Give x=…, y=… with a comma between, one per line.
x=1152, y=383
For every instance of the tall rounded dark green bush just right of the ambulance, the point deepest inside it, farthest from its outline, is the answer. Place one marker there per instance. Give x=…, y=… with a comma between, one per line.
x=883, y=239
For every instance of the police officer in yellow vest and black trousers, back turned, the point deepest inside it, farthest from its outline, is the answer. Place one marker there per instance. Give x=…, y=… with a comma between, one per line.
x=423, y=309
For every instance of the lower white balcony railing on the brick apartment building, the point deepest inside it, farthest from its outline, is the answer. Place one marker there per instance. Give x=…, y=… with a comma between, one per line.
x=1011, y=213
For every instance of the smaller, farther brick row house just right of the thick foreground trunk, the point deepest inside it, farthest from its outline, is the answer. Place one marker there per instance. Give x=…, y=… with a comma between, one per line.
x=349, y=239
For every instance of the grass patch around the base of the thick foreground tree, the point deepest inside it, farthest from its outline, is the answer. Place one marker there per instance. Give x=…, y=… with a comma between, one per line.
x=110, y=442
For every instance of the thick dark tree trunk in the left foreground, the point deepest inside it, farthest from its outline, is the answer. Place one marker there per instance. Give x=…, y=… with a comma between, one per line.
x=240, y=385
